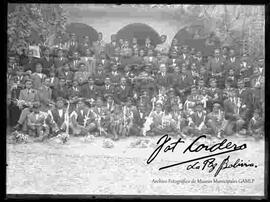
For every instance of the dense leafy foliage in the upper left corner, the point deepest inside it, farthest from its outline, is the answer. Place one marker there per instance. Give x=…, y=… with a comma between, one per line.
x=26, y=19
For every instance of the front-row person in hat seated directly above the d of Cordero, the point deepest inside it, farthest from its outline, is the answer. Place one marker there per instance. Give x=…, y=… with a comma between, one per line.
x=215, y=120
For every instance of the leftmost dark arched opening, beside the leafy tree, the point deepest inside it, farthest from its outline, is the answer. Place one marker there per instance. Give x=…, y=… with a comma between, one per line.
x=81, y=30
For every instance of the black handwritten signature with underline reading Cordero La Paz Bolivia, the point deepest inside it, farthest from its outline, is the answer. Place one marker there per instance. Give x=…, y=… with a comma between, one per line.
x=224, y=146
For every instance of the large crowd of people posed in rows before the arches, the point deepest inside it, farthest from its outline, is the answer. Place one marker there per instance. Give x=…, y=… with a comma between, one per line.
x=123, y=88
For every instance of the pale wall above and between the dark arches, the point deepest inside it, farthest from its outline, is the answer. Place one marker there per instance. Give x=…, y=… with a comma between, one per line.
x=110, y=21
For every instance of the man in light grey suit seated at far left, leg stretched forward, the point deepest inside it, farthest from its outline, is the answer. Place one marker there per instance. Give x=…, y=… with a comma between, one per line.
x=26, y=99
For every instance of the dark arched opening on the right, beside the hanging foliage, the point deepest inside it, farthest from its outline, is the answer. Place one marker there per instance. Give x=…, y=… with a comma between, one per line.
x=195, y=36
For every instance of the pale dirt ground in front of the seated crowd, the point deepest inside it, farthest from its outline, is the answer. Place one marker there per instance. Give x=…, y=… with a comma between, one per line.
x=87, y=168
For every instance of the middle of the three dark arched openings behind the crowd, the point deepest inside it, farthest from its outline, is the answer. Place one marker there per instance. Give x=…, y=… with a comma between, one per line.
x=140, y=31
